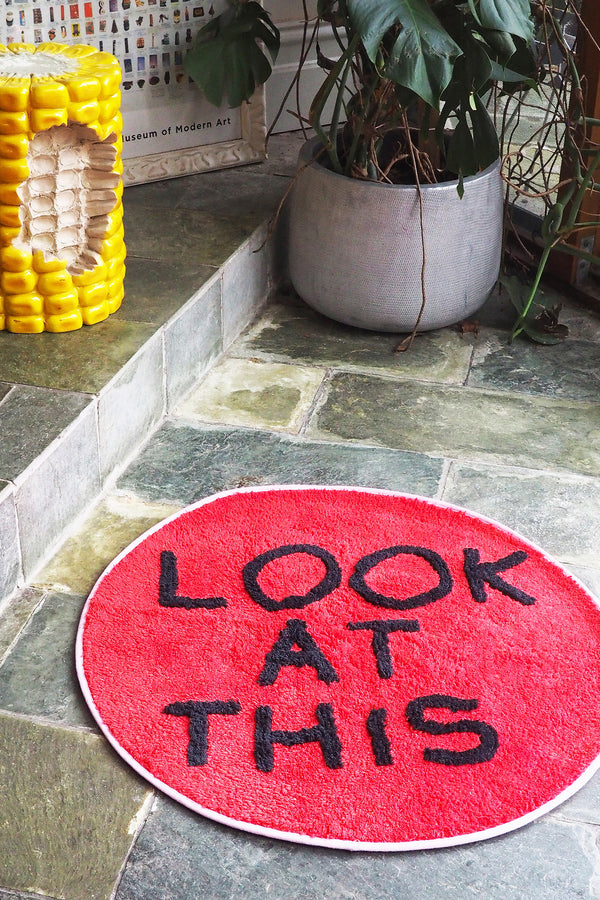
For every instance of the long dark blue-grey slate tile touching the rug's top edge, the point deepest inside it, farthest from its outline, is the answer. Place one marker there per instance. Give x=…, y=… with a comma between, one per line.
x=183, y=464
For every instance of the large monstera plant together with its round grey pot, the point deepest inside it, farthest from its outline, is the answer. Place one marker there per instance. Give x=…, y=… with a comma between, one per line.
x=395, y=219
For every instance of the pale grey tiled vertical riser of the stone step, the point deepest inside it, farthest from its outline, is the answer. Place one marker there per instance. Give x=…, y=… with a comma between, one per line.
x=66, y=479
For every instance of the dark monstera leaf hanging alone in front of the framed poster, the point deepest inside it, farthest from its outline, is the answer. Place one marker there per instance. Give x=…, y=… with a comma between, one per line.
x=227, y=59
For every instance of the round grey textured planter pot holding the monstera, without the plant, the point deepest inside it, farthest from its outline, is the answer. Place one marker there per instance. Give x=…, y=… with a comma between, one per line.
x=355, y=251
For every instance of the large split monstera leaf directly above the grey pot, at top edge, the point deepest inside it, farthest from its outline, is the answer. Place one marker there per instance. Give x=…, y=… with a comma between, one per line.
x=423, y=53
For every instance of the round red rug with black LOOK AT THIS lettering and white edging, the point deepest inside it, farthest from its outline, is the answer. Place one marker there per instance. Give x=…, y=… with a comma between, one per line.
x=346, y=667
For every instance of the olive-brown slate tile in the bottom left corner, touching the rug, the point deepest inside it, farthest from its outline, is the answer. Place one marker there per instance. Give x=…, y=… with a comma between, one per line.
x=69, y=811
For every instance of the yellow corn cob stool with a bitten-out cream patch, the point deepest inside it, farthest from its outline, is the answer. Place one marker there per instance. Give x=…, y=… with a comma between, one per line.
x=61, y=214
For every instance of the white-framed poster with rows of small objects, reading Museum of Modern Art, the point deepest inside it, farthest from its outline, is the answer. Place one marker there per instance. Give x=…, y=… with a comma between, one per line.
x=169, y=129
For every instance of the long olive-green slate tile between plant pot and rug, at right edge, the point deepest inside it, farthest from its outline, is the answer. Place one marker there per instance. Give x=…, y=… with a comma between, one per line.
x=476, y=425
